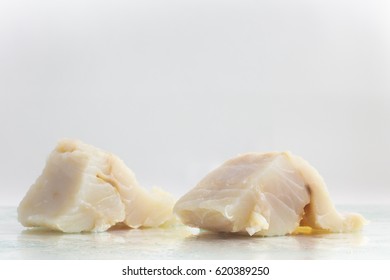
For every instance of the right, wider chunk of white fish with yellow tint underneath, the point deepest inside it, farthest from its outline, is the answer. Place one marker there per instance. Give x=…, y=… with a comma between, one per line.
x=265, y=194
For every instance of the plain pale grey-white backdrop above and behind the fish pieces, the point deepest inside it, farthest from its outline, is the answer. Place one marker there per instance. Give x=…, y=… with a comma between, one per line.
x=177, y=87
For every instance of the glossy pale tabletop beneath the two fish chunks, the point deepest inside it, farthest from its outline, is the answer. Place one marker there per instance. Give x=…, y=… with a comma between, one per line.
x=180, y=242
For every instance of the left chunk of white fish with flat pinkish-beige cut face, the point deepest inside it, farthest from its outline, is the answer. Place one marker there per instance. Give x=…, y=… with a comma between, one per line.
x=83, y=188
